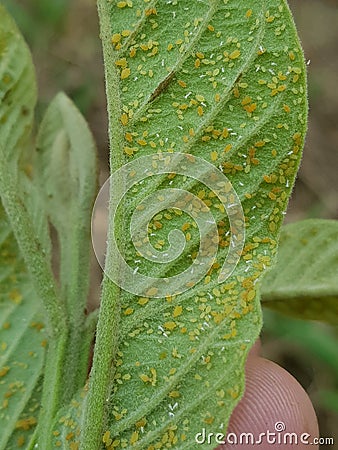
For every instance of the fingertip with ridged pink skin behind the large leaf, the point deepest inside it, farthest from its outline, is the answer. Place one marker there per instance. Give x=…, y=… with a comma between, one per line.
x=273, y=398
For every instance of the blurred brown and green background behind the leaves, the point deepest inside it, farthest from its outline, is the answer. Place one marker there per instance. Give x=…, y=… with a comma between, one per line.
x=63, y=36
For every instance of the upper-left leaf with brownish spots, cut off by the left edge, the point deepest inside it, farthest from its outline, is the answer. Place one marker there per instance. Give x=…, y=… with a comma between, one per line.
x=18, y=92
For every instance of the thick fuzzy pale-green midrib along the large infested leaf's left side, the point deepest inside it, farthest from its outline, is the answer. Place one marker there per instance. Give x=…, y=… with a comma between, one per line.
x=107, y=335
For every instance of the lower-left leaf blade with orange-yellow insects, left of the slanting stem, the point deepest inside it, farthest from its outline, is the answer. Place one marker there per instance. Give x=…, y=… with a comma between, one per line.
x=22, y=346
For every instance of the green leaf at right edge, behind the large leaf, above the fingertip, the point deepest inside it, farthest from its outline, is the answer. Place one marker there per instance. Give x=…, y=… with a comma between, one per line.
x=304, y=281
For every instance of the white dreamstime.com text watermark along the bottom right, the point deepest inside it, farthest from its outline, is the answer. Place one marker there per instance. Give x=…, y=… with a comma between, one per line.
x=277, y=437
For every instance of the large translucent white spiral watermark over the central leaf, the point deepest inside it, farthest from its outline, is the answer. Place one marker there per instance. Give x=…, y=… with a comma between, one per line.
x=129, y=178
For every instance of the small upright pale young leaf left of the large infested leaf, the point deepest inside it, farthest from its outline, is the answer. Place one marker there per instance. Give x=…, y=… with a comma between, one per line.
x=65, y=170
